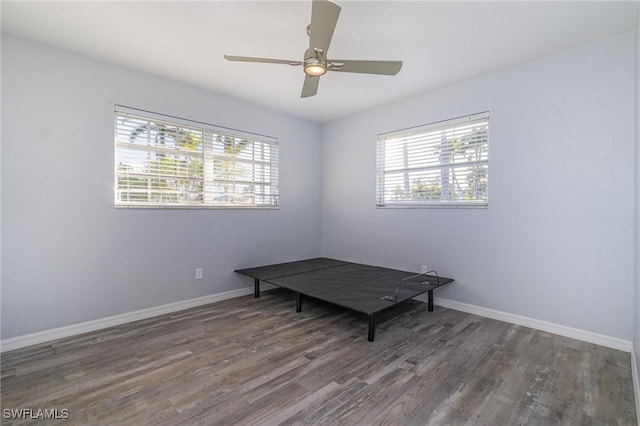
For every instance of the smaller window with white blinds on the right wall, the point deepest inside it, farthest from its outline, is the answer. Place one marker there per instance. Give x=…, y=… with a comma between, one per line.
x=443, y=164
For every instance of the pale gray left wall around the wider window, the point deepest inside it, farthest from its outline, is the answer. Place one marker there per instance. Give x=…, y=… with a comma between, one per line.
x=68, y=255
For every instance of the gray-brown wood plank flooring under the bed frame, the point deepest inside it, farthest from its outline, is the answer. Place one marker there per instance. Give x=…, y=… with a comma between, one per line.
x=253, y=361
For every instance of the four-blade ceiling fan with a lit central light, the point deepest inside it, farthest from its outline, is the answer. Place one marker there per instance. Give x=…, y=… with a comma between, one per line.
x=324, y=16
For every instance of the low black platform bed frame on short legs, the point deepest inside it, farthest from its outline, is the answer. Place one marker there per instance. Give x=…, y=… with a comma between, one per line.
x=363, y=288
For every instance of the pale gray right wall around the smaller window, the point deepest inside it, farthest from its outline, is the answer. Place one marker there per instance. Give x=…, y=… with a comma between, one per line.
x=556, y=242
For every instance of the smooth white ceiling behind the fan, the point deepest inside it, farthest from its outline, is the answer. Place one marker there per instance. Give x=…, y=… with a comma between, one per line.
x=440, y=43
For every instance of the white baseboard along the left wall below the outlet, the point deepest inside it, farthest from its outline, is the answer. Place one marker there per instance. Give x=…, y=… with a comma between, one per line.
x=85, y=327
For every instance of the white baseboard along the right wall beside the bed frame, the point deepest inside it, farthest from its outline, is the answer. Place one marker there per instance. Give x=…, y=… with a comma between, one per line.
x=574, y=333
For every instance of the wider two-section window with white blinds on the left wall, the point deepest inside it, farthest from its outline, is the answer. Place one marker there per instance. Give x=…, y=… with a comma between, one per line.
x=163, y=161
